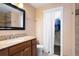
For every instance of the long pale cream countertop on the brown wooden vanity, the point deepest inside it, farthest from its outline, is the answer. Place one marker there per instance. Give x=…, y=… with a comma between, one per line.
x=11, y=42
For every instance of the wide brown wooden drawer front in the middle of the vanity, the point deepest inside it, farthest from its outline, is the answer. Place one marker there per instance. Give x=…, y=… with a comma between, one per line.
x=16, y=48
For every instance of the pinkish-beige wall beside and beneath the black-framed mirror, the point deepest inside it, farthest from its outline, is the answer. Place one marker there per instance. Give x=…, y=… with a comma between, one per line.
x=30, y=23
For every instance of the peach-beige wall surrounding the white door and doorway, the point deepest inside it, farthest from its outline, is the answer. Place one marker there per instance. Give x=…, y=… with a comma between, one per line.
x=68, y=26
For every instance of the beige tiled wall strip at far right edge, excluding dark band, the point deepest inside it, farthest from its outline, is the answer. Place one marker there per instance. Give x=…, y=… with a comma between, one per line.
x=77, y=32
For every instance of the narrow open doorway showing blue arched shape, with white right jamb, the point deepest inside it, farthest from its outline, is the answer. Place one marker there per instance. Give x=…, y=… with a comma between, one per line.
x=58, y=31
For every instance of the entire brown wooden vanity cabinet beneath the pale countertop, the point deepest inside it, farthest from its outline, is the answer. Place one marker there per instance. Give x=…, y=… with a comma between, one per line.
x=27, y=48
